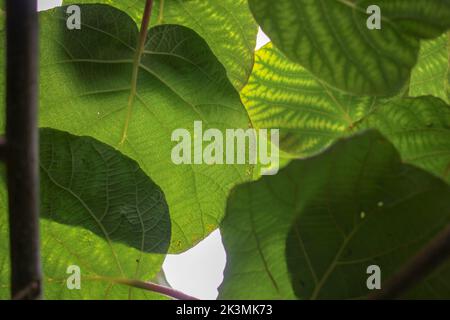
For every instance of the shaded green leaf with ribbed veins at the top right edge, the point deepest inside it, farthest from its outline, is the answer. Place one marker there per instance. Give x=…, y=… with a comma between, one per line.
x=331, y=38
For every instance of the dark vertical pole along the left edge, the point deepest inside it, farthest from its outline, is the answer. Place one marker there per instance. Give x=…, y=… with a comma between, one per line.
x=22, y=147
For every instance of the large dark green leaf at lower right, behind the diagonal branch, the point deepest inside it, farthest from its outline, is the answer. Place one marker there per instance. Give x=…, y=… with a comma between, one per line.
x=355, y=205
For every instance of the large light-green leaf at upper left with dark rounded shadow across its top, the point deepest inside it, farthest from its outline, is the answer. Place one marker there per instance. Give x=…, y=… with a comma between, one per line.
x=87, y=88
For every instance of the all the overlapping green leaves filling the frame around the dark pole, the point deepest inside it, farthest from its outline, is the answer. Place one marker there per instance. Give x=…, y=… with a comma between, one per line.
x=364, y=122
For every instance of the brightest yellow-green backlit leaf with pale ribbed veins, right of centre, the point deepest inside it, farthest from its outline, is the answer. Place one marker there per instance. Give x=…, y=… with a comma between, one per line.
x=309, y=113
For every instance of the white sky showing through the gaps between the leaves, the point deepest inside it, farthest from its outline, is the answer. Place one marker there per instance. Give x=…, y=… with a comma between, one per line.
x=198, y=271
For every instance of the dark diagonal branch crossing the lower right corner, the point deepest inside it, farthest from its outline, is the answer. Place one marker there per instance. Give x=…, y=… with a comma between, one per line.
x=422, y=264
